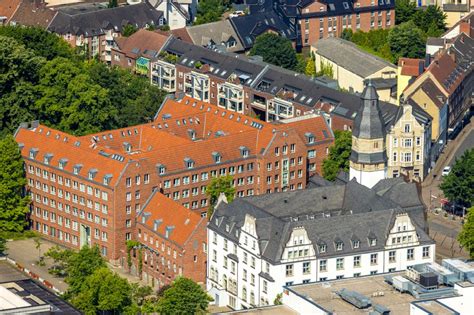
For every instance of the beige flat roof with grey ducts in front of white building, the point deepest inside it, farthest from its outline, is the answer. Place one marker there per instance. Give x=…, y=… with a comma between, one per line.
x=323, y=294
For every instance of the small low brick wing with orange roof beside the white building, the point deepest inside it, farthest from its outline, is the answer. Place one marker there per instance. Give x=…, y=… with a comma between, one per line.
x=173, y=242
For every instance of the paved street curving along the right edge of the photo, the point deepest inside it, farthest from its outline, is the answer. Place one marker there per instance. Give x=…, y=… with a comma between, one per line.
x=445, y=229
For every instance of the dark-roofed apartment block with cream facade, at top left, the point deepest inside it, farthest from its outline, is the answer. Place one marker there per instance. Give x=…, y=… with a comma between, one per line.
x=93, y=28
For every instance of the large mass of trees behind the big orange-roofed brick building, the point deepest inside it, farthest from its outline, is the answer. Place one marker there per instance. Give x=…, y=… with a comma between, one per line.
x=54, y=85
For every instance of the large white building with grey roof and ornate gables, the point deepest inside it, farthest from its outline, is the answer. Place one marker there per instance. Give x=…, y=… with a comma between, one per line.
x=257, y=245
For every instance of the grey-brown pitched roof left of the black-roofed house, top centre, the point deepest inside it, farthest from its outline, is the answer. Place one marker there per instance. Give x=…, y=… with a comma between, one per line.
x=218, y=33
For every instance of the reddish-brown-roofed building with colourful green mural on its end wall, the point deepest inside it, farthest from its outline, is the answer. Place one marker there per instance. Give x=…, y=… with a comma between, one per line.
x=137, y=51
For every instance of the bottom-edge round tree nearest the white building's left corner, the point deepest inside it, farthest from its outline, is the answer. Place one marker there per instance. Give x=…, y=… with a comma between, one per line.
x=184, y=297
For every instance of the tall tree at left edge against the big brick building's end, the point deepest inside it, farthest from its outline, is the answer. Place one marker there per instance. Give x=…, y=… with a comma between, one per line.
x=13, y=200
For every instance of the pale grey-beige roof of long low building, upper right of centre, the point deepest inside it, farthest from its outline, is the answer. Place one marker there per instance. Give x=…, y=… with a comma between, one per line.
x=348, y=56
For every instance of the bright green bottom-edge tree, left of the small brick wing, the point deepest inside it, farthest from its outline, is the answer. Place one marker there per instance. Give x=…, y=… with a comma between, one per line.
x=103, y=291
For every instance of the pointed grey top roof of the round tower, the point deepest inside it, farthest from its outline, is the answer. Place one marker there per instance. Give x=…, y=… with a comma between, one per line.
x=369, y=123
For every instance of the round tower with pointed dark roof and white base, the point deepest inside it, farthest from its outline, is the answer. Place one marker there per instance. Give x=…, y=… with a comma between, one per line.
x=368, y=161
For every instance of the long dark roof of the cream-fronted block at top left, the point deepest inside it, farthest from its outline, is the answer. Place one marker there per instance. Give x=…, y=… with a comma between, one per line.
x=96, y=22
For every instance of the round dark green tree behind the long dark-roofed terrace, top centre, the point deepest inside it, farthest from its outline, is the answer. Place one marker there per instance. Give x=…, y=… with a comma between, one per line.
x=276, y=50
